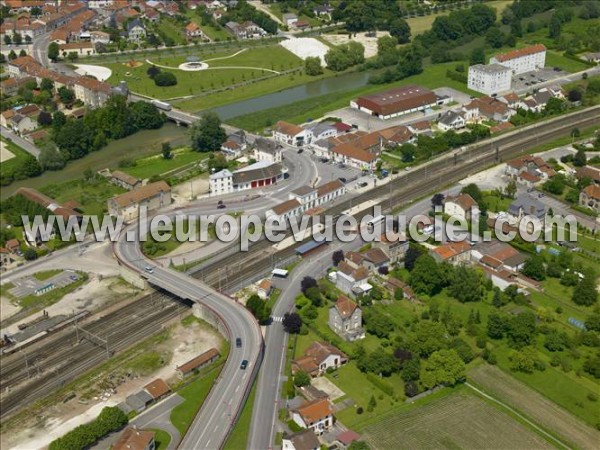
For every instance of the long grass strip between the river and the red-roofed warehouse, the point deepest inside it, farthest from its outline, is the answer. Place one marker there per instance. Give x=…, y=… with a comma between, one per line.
x=433, y=76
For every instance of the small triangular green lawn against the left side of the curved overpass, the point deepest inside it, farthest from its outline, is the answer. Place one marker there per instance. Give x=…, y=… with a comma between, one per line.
x=194, y=394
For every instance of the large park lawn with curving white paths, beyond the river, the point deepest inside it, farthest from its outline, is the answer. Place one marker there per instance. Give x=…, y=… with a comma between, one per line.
x=192, y=83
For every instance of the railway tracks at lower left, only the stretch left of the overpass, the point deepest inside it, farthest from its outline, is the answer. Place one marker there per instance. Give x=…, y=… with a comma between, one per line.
x=28, y=376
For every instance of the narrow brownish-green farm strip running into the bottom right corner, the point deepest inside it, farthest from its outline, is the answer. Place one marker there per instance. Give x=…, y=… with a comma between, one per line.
x=542, y=411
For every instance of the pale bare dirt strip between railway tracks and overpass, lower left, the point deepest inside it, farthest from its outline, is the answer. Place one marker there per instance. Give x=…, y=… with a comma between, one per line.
x=183, y=344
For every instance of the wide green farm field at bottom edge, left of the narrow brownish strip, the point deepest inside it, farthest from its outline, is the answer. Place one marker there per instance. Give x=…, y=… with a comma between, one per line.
x=456, y=421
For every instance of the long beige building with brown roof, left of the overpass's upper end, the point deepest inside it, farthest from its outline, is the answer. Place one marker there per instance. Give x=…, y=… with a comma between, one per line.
x=152, y=196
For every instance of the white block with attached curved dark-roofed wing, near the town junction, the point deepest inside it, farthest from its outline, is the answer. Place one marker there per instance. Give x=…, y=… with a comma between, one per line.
x=257, y=175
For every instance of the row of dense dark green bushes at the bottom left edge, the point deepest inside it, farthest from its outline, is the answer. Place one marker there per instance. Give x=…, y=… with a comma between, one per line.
x=84, y=436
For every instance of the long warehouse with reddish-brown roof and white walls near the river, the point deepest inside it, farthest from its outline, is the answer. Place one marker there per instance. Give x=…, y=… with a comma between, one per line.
x=396, y=102
